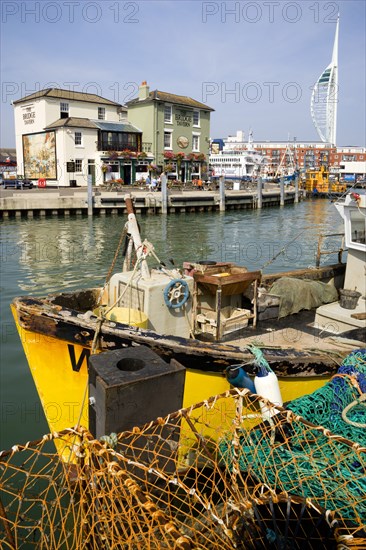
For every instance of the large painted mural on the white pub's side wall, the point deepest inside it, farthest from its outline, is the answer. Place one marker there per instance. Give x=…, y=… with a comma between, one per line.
x=39, y=152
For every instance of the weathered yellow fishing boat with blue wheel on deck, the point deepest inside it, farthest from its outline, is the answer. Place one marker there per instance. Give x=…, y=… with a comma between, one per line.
x=205, y=315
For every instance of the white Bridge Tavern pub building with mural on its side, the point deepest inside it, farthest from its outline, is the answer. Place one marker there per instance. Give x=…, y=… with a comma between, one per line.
x=63, y=136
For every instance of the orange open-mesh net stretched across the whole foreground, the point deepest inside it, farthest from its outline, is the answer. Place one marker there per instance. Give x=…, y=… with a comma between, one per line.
x=212, y=476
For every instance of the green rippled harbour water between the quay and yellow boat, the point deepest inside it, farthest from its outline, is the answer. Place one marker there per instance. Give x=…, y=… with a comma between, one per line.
x=54, y=254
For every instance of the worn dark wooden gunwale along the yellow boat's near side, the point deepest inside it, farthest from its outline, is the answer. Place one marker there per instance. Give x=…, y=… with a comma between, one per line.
x=42, y=315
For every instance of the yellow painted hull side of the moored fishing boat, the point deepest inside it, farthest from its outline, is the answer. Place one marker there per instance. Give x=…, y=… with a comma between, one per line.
x=60, y=373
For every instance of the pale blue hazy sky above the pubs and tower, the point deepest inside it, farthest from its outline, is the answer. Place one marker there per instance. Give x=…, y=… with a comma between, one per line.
x=254, y=62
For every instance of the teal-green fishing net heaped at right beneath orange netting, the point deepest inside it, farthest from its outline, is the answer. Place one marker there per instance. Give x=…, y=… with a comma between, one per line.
x=302, y=459
